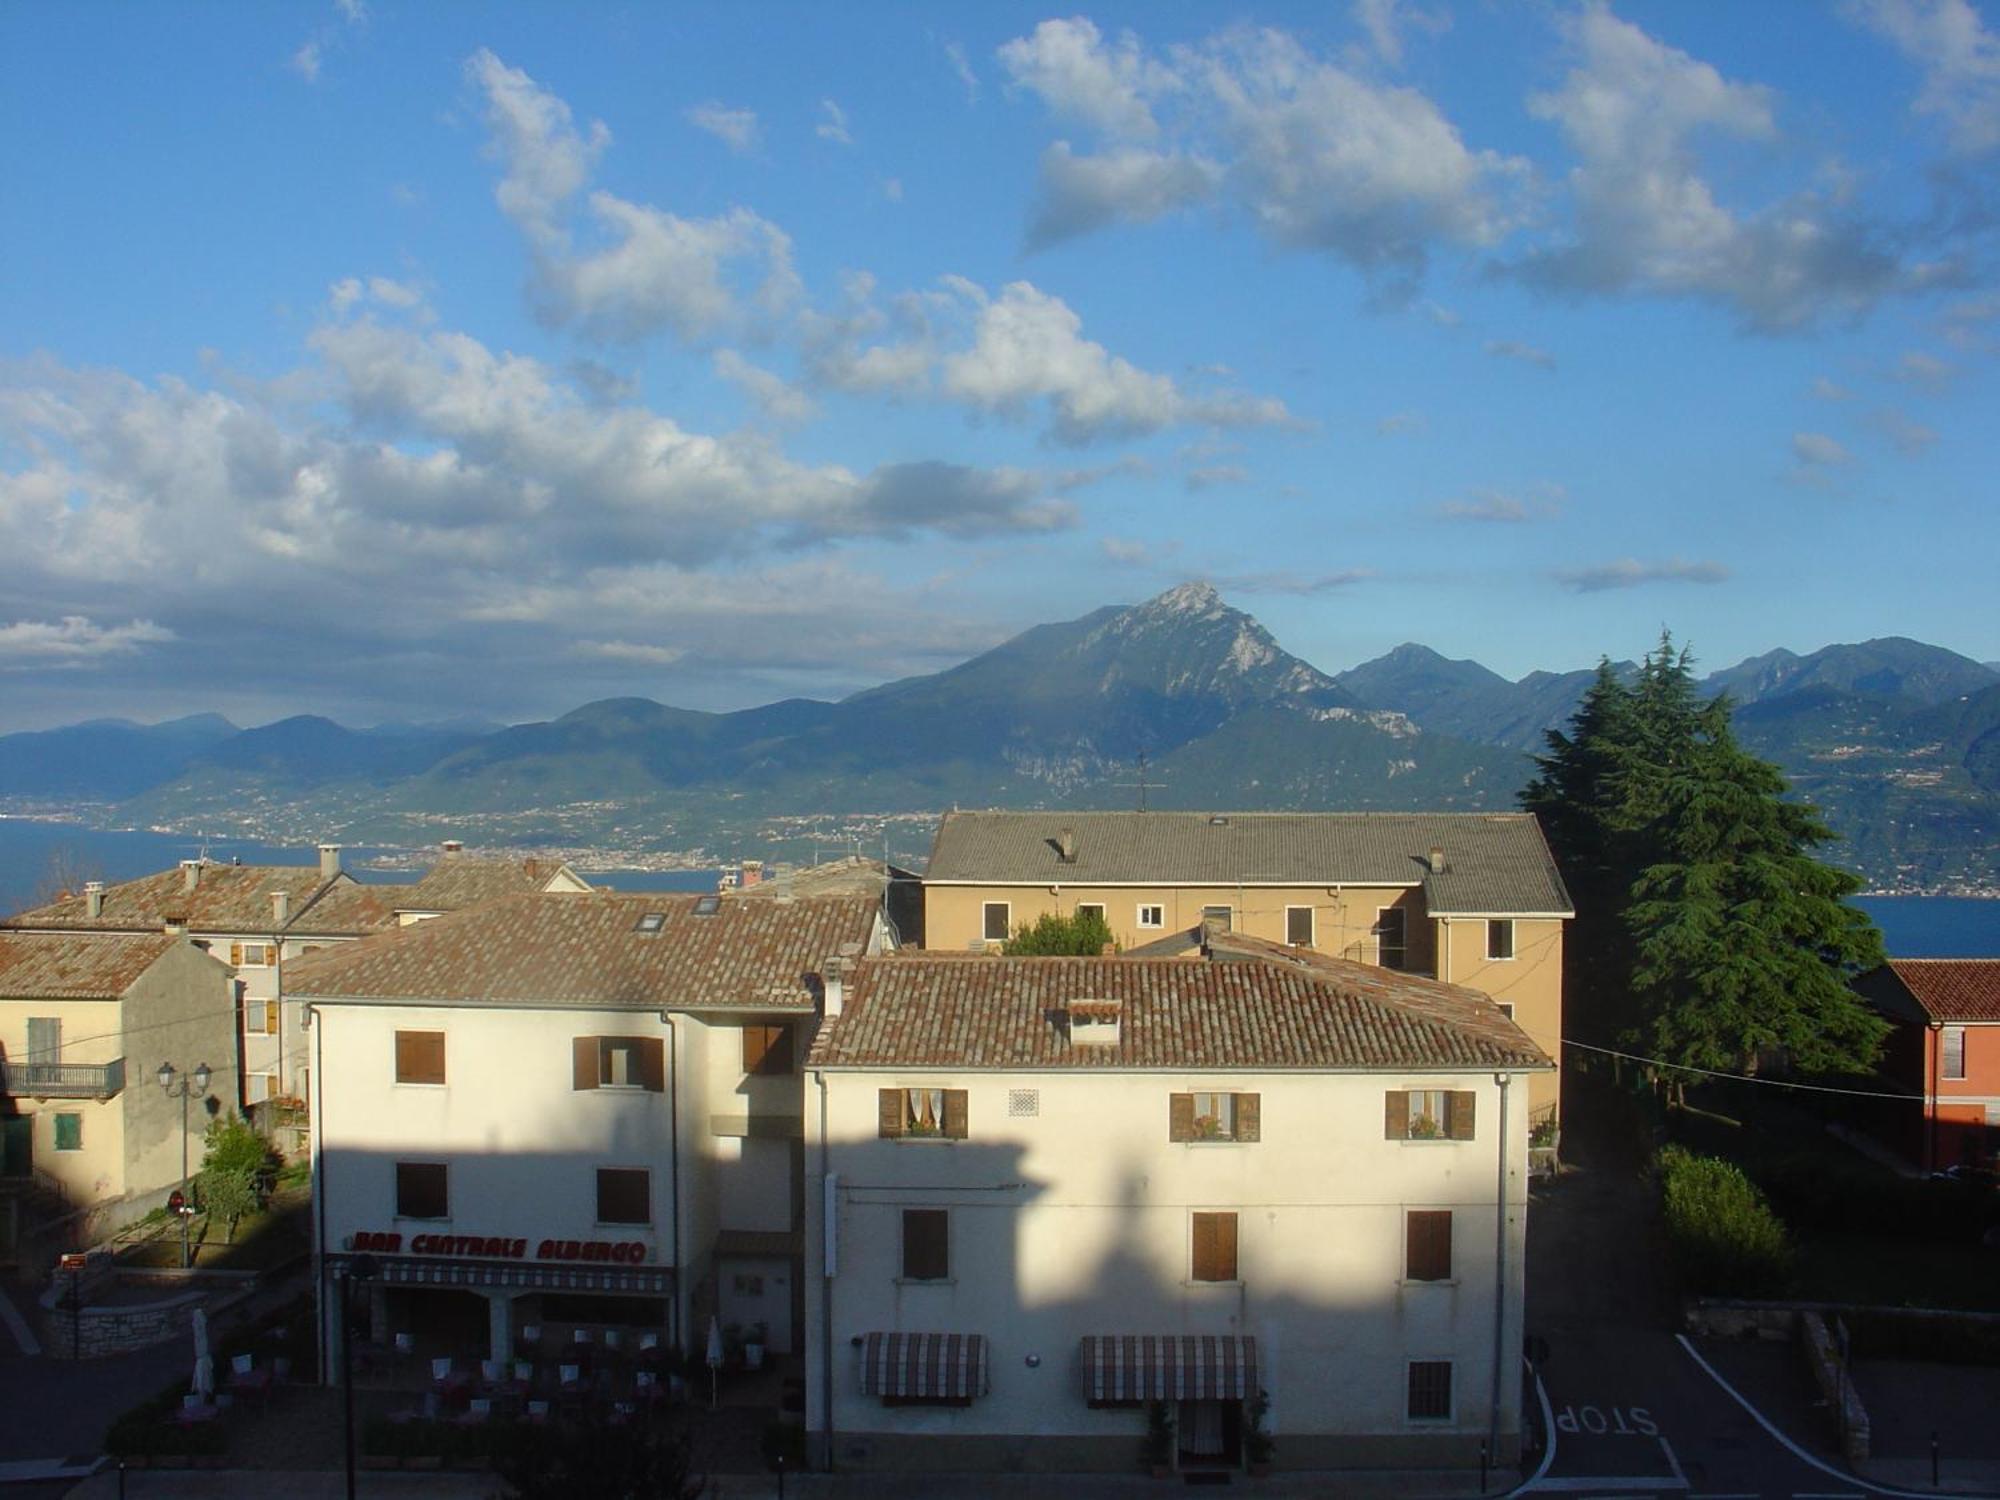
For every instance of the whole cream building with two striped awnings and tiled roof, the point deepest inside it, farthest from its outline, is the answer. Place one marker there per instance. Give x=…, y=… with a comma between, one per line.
x=1049, y=1191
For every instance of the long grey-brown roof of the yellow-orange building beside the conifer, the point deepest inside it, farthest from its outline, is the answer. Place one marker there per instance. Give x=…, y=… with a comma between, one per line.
x=1495, y=863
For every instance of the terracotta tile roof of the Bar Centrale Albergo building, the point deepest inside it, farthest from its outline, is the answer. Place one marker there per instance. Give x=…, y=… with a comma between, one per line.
x=565, y=949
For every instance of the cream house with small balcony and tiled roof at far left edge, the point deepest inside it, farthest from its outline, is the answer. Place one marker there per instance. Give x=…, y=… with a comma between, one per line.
x=85, y=1025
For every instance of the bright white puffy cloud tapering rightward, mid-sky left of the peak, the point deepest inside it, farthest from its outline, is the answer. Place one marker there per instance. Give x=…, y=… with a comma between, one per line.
x=1029, y=349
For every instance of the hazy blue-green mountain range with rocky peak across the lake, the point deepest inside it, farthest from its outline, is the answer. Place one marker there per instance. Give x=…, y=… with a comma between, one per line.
x=1177, y=703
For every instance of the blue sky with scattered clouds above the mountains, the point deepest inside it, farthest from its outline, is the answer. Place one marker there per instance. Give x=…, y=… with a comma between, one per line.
x=405, y=361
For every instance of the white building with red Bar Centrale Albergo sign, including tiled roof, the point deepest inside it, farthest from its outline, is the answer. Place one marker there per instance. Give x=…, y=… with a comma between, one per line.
x=573, y=1111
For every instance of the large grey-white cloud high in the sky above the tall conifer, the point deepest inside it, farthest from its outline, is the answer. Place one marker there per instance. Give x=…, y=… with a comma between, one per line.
x=1647, y=219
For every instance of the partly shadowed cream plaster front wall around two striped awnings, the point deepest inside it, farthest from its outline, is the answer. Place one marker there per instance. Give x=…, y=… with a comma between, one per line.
x=1077, y=1223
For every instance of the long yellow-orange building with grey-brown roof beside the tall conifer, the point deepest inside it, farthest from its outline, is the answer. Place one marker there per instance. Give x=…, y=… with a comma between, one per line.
x=1463, y=897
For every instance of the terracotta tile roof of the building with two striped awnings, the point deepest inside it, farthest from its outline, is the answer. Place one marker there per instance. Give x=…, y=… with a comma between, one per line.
x=951, y=1011
